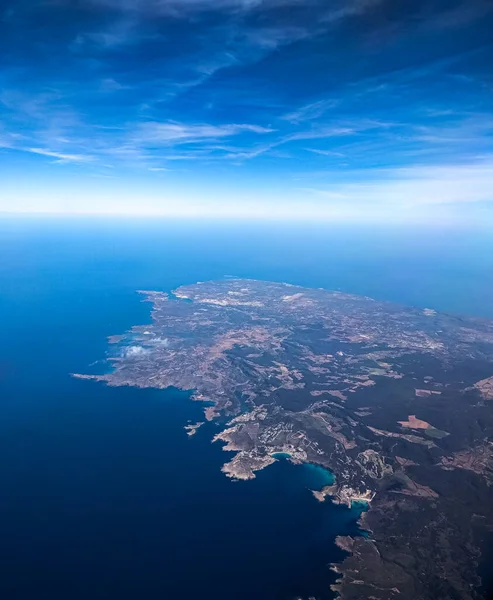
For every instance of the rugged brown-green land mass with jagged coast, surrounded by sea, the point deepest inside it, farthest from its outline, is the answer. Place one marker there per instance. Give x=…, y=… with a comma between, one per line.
x=394, y=401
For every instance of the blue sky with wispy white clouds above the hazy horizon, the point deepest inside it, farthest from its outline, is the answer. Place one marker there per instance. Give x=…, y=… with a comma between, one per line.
x=339, y=110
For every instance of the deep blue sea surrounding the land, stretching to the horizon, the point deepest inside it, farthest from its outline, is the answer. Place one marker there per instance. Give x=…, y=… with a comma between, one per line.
x=102, y=494
